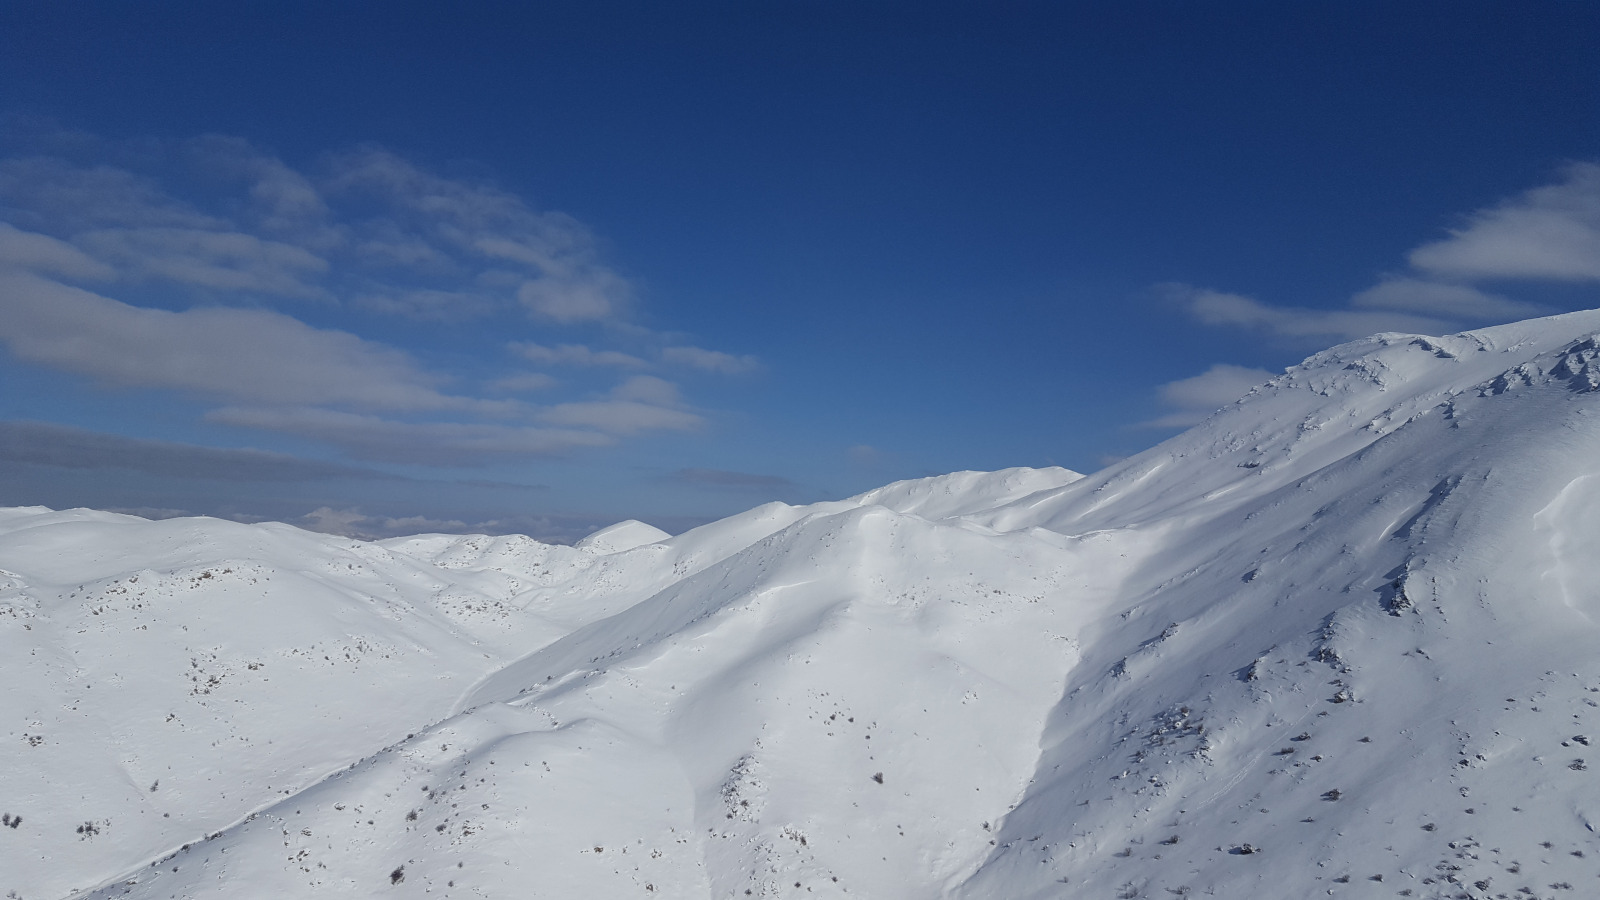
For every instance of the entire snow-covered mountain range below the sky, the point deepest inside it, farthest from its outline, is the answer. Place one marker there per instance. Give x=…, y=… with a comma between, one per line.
x=1340, y=640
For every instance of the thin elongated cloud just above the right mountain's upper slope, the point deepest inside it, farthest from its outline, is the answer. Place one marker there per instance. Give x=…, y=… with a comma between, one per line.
x=1218, y=308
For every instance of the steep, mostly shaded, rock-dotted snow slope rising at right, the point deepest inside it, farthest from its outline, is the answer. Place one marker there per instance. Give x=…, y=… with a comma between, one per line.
x=1374, y=675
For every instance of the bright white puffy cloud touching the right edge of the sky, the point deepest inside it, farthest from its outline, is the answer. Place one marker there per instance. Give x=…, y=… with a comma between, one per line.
x=1548, y=233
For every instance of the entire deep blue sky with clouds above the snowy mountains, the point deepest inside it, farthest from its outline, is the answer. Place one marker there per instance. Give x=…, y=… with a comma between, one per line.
x=537, y=268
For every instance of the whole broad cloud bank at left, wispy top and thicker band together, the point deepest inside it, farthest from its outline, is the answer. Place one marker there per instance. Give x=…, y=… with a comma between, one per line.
x=233, y=241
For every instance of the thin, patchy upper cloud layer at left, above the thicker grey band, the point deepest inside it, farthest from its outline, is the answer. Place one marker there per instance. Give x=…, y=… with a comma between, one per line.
x=369, y=228
